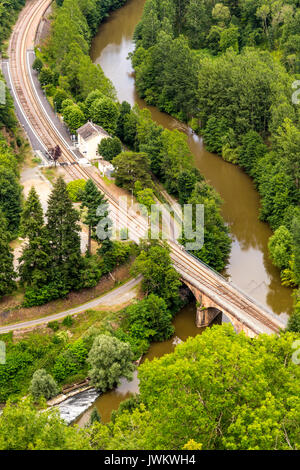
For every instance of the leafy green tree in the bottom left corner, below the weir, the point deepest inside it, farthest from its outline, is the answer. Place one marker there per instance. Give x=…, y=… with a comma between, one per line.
x=23, y=427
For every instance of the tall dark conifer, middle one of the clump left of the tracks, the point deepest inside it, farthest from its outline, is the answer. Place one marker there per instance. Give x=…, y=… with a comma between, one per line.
x=63, y=235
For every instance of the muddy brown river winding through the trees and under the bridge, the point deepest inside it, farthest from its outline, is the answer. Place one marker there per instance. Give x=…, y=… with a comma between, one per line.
x=249, y=266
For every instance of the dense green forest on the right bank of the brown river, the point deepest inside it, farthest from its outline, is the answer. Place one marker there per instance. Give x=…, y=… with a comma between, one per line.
x=228, y=68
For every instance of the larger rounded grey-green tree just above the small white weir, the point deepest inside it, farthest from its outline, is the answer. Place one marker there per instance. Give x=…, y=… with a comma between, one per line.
x=109, y=360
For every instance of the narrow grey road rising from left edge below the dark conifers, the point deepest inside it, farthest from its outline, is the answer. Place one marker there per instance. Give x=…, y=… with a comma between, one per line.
x=115, y=297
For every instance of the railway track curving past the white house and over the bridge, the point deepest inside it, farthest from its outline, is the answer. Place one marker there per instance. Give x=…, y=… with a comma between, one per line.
x=49, y=136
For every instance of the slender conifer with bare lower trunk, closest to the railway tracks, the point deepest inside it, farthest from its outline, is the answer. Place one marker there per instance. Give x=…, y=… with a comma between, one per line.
x=92, y=200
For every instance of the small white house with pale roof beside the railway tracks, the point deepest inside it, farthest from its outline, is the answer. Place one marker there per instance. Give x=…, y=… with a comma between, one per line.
x=89, y=137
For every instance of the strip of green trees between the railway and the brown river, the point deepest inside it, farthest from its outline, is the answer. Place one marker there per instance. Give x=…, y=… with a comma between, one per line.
x=79, y=91
